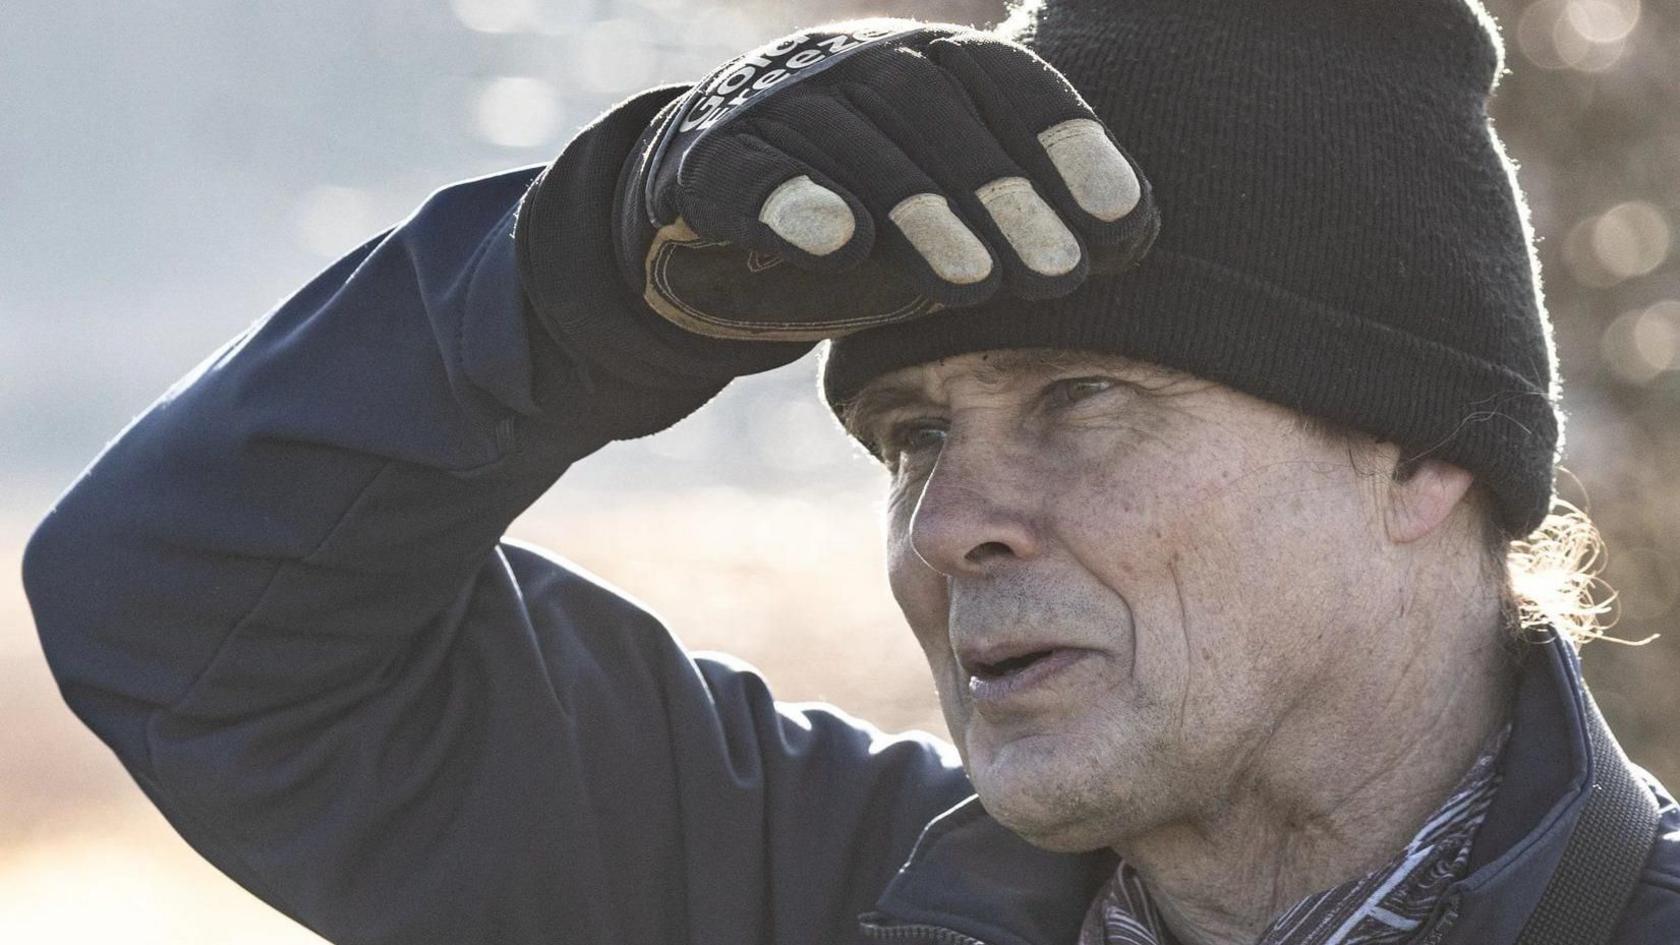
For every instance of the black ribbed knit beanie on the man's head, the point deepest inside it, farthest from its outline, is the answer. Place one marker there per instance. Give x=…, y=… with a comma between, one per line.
x=1340, y=230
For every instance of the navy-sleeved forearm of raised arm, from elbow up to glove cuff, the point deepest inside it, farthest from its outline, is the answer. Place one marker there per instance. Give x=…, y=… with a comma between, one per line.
x=318, y=490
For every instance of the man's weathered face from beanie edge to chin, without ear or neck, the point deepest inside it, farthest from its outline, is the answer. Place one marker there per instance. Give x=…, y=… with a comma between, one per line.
x=1131, y=584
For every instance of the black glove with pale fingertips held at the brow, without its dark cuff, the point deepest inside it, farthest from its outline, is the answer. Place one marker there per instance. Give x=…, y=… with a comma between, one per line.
x=871, y=172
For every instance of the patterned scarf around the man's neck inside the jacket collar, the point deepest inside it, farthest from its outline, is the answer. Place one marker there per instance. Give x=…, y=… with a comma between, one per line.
x=1394, y=905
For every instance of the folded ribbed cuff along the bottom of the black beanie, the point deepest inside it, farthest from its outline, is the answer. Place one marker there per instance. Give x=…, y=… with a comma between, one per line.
x=1224, y=325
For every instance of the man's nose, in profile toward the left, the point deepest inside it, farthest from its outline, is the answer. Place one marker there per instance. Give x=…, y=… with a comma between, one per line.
x=975, y=512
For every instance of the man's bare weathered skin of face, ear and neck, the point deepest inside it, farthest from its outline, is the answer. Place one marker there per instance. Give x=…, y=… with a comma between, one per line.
x=1259, y=630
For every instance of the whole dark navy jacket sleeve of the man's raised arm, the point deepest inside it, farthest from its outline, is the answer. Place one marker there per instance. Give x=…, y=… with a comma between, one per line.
x=281, y=596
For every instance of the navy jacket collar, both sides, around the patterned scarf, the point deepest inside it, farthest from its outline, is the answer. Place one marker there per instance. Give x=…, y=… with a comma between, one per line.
x=974, y=880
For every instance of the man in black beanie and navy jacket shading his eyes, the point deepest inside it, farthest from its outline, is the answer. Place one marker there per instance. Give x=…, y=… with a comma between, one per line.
x=1200, y=534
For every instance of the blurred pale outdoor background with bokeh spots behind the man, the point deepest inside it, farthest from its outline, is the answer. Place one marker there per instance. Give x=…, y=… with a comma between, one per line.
x=171, y=169
